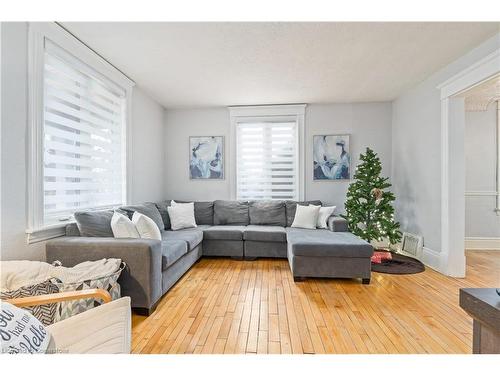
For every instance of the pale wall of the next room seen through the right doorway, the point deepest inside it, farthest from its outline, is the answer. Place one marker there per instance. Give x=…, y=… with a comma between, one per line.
x=480, y=176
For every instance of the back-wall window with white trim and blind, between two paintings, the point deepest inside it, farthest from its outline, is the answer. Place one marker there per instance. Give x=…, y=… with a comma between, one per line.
x=267, y=148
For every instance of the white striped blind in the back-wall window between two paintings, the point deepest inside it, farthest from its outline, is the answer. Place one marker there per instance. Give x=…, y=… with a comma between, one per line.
x=267, y=166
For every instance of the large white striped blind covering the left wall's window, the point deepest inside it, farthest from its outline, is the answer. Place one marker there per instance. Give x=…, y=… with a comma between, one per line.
x=84, y=128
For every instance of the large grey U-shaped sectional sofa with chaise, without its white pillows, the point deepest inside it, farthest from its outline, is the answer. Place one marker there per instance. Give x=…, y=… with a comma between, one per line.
x=237, y=229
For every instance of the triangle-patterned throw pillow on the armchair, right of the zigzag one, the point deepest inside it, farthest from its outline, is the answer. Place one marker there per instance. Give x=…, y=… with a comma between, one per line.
x=70, y=308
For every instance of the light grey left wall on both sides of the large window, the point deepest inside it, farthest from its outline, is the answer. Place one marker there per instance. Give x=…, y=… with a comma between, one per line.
x=147, y=146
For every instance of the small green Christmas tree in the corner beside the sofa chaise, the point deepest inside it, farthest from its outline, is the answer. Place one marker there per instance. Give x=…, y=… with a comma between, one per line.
x=368, y=205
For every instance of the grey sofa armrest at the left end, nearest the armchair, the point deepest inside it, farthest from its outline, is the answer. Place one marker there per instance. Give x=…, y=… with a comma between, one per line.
x=141, y=279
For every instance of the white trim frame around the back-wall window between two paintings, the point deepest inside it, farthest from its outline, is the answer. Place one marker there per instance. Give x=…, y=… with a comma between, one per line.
x=286, y=112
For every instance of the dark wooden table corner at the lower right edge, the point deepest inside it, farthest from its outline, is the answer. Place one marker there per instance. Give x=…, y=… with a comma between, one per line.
x=483, y=305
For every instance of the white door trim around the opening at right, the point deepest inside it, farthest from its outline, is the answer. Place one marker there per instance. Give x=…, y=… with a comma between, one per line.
x=452, y=253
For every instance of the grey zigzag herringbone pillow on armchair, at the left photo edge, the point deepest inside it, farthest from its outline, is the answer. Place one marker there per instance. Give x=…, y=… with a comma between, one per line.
x=44, y=313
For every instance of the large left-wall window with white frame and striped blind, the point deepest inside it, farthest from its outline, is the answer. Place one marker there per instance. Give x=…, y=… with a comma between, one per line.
x=78, y=130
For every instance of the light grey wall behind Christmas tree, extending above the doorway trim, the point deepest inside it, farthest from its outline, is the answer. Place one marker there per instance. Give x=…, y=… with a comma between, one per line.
x=416, y=153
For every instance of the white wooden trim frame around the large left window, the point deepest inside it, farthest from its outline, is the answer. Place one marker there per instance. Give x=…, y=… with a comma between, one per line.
x=37, y=33
